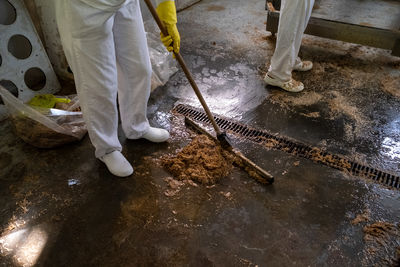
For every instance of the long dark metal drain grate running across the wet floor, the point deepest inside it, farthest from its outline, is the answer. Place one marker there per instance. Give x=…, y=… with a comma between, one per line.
x=315, y=154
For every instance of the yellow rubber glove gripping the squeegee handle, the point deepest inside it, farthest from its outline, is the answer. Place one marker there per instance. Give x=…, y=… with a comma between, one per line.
x=167, y=13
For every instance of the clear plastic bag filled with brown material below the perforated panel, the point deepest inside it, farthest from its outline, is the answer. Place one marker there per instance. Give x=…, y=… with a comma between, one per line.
x=43, y=127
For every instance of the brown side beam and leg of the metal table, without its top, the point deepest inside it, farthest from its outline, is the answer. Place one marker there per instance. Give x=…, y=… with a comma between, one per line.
x=347, y=32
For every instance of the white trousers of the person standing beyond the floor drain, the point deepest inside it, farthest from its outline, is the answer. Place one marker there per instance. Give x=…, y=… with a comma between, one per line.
x=293, y=20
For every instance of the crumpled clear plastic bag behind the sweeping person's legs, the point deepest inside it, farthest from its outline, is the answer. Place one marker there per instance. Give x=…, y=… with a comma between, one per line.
x=164, y=66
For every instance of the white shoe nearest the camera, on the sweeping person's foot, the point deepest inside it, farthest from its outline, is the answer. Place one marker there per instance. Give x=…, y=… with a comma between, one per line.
x=117, y=164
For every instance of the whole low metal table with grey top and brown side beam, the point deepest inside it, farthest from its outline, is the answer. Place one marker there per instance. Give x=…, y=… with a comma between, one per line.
x=373, y=23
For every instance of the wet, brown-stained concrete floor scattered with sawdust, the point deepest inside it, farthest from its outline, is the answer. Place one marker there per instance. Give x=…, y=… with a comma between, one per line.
x=61, y=207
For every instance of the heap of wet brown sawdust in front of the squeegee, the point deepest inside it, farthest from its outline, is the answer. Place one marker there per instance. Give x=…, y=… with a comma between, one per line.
x=202, y=160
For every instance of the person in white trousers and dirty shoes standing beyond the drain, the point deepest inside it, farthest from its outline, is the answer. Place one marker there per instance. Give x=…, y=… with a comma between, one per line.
x=293, y=20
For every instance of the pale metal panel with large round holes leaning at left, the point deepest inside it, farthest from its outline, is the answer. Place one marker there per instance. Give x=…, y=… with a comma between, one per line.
x=25, y=69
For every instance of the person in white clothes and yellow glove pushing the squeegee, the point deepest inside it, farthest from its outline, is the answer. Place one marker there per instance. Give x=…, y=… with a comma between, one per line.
x=98, y=35
